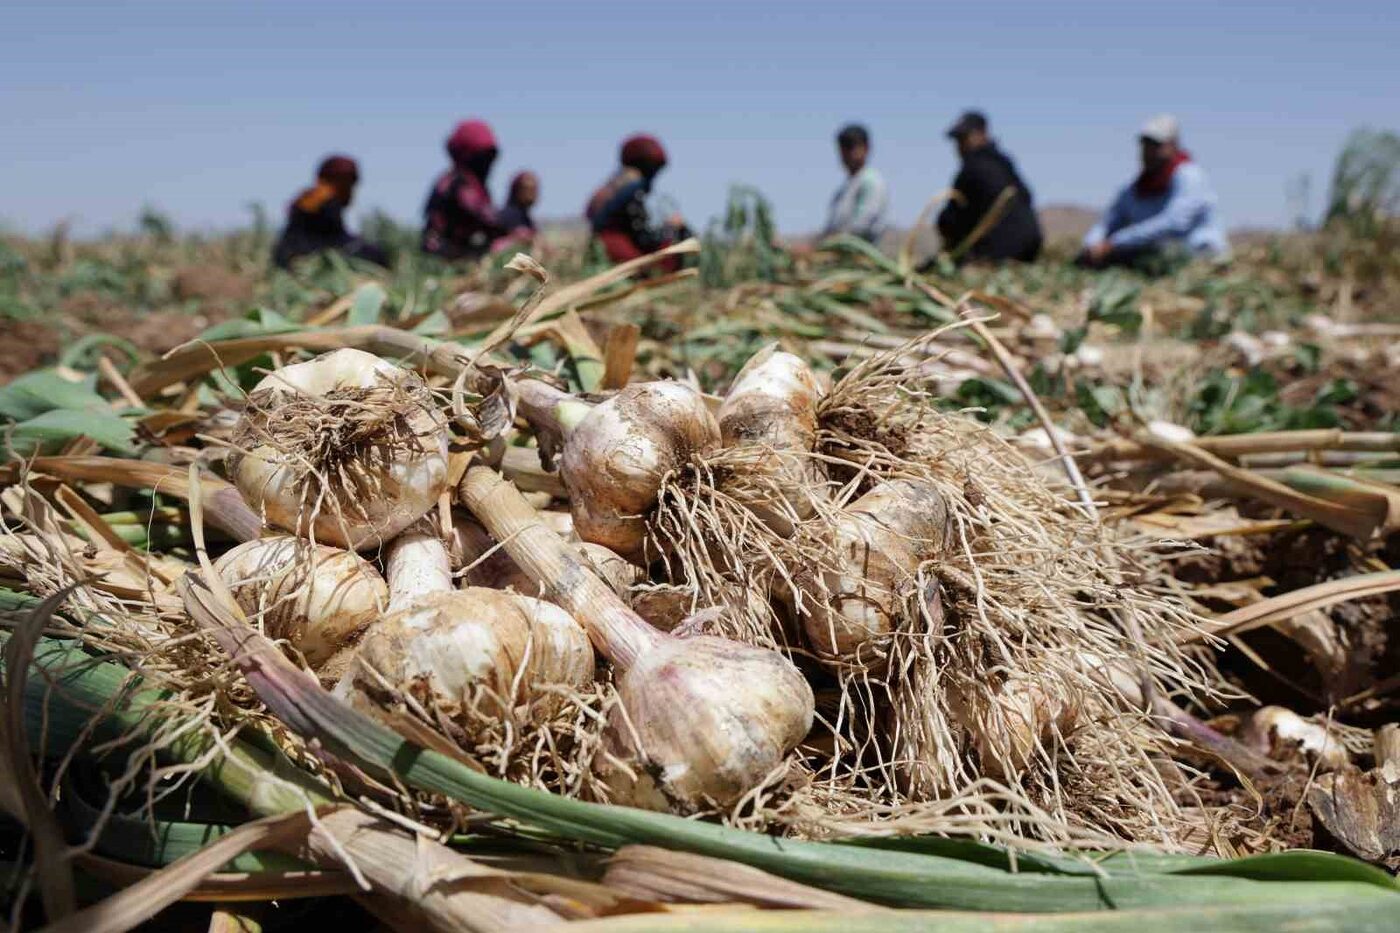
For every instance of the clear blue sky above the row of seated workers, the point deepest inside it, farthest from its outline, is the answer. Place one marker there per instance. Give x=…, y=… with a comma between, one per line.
x=201, y=107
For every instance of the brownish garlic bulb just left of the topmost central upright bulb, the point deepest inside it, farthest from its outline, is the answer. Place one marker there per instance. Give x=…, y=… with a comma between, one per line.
x=614, y=462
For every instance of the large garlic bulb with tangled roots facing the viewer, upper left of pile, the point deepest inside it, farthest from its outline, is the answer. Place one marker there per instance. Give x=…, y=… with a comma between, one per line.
x=345, y=448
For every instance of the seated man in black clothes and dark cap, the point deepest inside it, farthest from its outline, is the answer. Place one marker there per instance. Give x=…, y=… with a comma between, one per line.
x=988, y=181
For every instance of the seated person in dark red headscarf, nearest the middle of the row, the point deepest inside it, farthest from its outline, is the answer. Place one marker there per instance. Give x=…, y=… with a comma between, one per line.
x=618, y=211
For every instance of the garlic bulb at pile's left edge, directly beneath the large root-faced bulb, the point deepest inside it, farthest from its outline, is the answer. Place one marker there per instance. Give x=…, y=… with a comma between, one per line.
x=317, y=597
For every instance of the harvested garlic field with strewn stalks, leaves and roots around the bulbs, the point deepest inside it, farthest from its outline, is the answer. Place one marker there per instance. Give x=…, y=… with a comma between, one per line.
x=1175, y=495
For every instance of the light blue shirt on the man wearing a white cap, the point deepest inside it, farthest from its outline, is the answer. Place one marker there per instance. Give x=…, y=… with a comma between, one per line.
x=1186, y=214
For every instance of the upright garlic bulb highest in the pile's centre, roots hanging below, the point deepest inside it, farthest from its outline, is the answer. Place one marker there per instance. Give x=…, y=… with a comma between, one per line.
x=771, y=417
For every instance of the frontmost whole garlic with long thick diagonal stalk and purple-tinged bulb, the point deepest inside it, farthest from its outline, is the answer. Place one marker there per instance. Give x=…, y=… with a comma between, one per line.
x=702, y=721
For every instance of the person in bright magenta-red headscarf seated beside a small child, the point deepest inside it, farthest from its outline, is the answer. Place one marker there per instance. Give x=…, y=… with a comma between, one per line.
x=458, y=219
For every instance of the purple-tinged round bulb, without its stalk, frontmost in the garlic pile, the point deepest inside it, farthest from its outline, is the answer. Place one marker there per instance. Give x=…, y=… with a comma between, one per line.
x=703, y=721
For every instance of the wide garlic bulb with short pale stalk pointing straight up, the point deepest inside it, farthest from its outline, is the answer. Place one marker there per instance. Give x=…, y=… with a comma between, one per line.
x=467, y=654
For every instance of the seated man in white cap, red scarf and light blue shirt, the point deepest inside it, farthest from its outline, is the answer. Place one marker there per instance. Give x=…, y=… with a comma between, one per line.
x=1168, y=209
